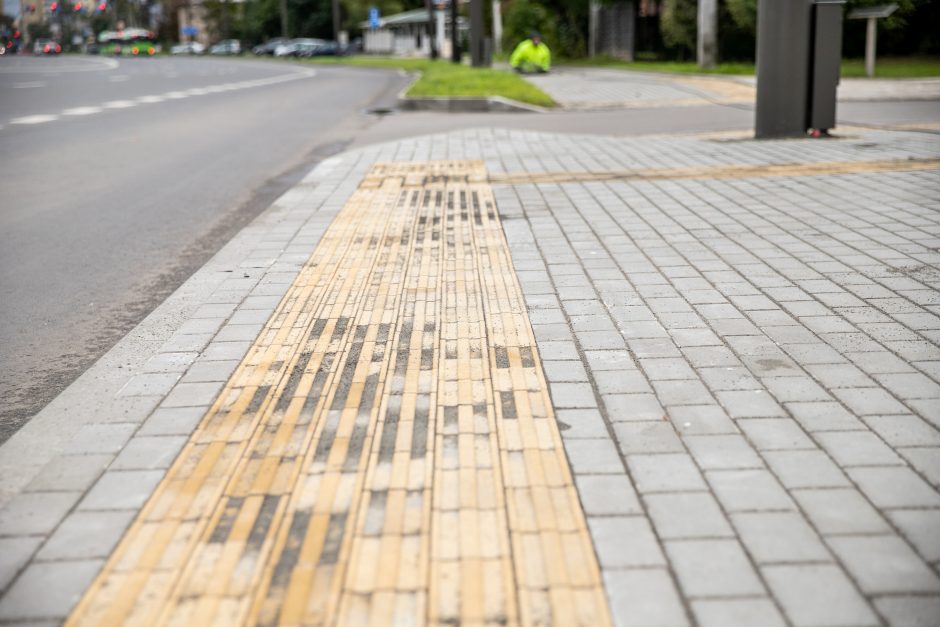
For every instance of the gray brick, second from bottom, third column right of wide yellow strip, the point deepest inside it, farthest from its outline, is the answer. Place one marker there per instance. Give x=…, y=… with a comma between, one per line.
x=779, y=537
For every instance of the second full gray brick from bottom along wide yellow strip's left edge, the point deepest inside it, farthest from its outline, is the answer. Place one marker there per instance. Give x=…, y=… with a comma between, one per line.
x=86, y=535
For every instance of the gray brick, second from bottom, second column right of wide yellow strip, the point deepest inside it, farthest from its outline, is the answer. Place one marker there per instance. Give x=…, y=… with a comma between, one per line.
x=712, y=568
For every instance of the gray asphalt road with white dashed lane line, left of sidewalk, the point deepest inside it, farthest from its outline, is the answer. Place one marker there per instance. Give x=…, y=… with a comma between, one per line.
x=118, y=179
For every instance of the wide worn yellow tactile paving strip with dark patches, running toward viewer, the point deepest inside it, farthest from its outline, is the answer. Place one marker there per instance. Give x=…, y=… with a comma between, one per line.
x=385, y=454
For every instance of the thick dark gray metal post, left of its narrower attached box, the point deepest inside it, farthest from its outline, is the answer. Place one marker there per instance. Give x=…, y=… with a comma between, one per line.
x=783, y=65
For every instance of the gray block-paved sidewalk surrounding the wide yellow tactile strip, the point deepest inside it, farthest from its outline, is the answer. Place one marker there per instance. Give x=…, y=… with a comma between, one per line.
x=745, y=372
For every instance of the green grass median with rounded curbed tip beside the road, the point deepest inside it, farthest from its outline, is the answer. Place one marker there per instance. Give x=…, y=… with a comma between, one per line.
x=443, y=78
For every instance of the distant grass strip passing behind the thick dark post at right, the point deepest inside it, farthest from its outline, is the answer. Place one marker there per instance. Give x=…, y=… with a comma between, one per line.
x=888, y=67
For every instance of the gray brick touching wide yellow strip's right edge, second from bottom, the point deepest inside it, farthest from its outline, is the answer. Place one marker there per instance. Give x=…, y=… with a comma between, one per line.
x=625, y=542
